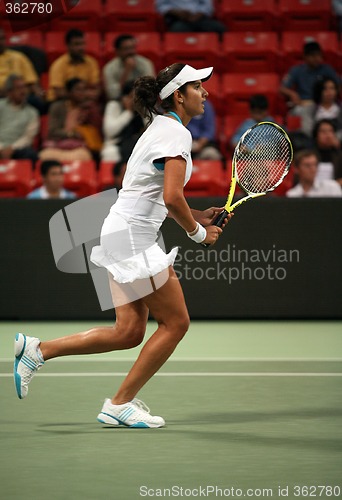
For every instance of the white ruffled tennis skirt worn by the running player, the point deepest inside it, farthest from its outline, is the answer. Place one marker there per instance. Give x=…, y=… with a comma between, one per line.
x=129, y=250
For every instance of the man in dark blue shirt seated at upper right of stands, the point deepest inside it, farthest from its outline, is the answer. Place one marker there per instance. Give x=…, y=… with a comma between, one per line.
x=297, y=86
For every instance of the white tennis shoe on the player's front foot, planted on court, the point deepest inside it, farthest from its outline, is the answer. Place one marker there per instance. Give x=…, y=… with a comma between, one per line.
x=133, y=414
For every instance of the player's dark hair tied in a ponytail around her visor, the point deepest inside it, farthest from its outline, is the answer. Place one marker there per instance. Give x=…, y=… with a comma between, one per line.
x=146, y=92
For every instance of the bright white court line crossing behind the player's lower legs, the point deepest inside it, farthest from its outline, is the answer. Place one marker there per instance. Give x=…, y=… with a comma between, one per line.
x=189, y=374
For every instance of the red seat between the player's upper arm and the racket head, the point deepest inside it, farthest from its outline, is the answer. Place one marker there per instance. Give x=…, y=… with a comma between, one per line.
x=207, y=179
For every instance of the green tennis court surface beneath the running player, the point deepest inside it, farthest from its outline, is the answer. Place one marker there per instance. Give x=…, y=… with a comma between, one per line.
x=250, y=407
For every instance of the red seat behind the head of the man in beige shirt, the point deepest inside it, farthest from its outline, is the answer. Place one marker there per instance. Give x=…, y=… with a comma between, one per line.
x=148, y=45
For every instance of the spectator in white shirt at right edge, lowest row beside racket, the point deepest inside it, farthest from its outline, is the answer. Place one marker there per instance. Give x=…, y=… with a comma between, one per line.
x=309, y=185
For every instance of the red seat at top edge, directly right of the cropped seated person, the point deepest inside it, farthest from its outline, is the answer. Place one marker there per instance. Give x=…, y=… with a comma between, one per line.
x=250, y=15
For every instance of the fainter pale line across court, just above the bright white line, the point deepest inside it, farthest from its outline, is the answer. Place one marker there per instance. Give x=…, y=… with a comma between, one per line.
x=85, y=359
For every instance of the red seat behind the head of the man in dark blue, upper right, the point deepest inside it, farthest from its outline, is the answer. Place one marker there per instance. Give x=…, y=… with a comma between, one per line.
x=292, y=47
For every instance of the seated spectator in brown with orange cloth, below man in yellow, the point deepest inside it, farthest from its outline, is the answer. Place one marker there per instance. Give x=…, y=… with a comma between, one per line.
x=74, y=126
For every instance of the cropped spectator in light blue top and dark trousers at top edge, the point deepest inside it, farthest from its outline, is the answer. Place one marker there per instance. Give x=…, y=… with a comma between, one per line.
x=192, y=15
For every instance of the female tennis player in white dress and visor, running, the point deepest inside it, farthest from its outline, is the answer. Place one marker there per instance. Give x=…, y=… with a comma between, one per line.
x=141, y=275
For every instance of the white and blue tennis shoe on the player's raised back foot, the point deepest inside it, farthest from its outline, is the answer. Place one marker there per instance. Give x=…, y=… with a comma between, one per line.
x=27, y=361
